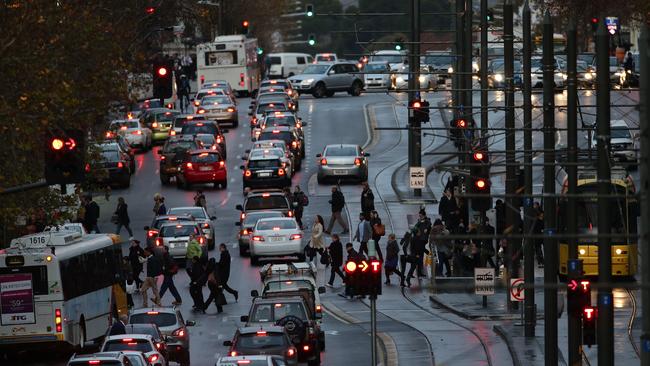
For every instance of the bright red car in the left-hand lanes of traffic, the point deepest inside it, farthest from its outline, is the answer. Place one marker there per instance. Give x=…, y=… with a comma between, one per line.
x=202, y=166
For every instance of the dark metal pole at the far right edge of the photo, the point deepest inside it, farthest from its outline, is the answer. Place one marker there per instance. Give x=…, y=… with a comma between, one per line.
x=644, y=171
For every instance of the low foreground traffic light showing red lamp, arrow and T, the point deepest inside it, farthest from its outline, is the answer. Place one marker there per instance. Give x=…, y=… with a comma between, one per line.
x=364, y=277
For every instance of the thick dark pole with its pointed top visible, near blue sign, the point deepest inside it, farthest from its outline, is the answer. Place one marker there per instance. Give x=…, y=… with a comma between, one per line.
x=605, y=325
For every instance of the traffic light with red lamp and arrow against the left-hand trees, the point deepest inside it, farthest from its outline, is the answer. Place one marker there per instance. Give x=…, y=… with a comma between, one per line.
x=65, y=153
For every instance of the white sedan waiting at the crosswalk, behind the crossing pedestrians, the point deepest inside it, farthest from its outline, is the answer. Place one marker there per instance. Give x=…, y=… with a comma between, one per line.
x=276, y=237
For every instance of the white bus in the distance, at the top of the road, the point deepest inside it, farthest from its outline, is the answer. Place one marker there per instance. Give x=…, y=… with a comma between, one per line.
x=231, y=58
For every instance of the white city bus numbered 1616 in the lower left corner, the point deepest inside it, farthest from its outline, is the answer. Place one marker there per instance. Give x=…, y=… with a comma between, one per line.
x=59, y=288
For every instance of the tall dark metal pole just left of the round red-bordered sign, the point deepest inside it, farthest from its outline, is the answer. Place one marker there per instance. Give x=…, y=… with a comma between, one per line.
x=512, y=219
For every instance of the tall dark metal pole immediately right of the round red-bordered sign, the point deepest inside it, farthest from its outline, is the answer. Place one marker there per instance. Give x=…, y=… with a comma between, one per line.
x=529, y=250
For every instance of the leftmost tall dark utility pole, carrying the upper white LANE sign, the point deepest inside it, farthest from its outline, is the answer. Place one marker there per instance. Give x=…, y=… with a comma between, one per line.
x=415, y=146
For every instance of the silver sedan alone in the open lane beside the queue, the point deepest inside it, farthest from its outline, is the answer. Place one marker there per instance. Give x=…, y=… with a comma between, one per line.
x=342, y=161
